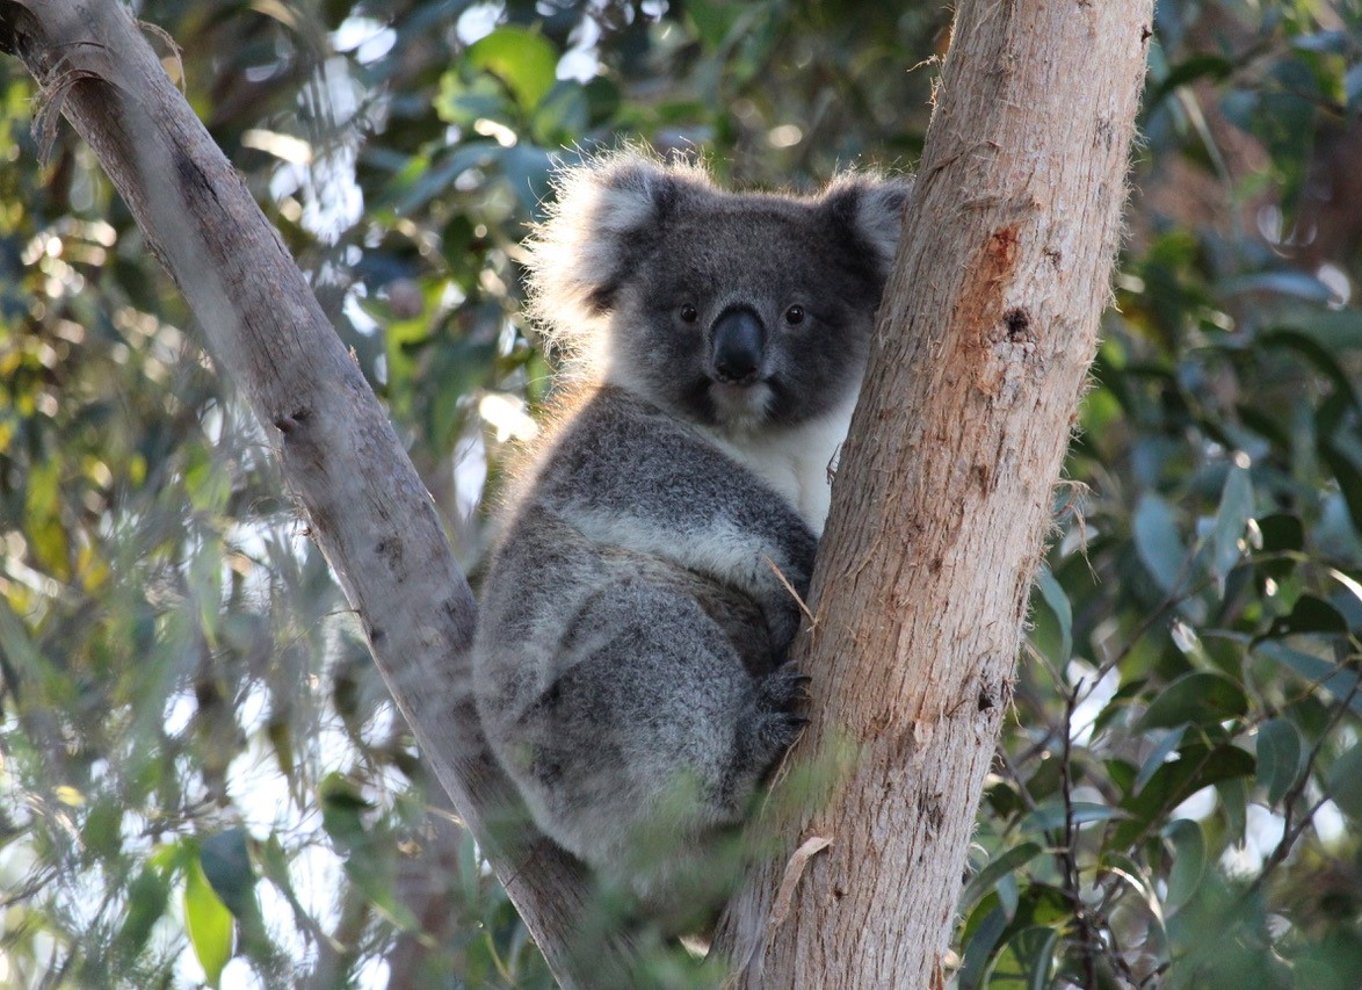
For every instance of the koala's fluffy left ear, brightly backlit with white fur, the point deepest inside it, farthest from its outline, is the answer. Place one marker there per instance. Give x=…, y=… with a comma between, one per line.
x=605, y=213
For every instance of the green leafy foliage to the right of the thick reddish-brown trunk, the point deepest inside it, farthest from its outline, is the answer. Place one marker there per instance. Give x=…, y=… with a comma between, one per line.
x=1194, y=664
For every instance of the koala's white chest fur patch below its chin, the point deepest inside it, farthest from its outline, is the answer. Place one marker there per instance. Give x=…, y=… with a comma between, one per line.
x=797, y=462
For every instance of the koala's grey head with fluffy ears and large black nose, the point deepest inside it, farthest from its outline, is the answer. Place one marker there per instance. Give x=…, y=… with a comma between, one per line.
x=729, y=310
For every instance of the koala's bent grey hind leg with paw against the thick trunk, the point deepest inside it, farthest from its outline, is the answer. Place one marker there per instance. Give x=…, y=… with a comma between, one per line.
x=652, y=733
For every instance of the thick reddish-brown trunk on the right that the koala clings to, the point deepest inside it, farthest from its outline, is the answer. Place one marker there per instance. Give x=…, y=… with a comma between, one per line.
x=945, y=494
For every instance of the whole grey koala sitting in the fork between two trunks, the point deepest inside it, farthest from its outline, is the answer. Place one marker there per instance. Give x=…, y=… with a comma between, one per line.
x=631, y=653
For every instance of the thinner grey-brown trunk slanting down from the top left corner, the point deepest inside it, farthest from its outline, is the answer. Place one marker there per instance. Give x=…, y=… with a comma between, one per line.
x=341, y=458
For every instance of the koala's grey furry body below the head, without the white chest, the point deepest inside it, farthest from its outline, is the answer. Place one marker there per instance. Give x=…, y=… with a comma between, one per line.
x=630, y=634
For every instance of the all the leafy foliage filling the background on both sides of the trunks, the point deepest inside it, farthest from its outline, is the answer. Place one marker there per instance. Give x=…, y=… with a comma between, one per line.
x=201, y=777
